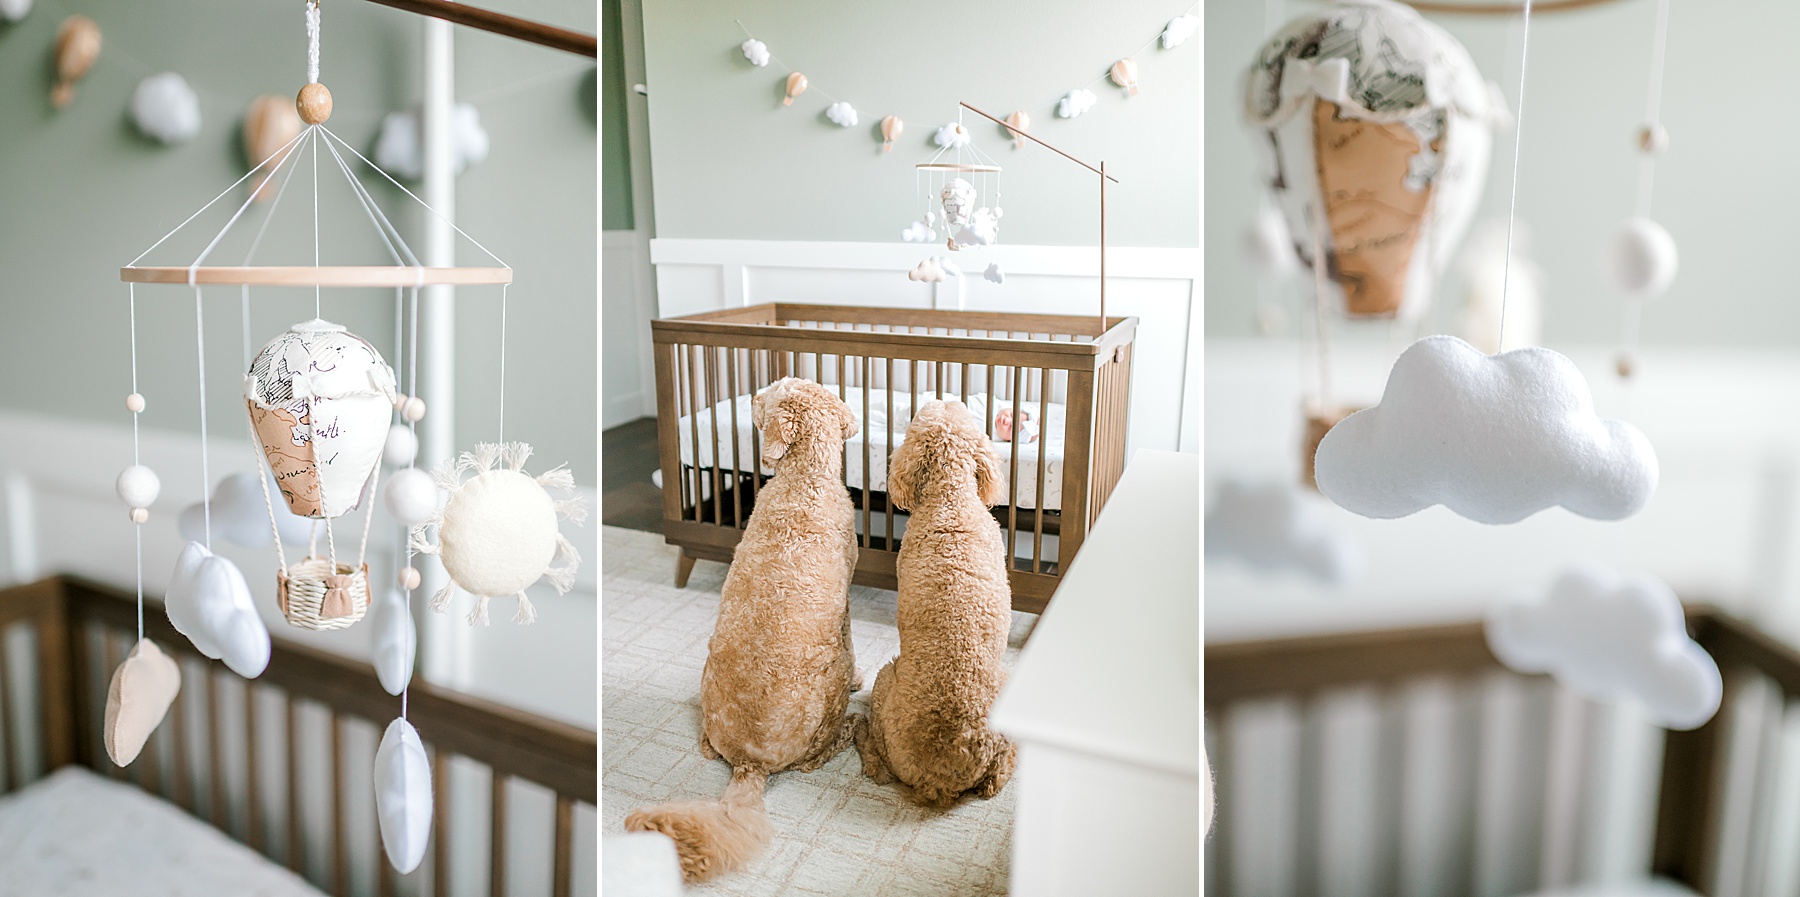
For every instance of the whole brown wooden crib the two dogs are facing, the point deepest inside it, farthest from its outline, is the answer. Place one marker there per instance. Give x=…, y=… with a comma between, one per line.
x=1065, y=372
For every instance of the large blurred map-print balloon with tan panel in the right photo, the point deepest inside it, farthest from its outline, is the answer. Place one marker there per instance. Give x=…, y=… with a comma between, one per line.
x=1374, y=158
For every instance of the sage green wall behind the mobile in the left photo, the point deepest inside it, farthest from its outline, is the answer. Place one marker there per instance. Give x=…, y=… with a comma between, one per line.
x=82, y=194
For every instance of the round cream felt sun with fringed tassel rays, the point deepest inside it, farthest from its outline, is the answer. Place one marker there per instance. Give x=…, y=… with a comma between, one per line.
x=498, y=534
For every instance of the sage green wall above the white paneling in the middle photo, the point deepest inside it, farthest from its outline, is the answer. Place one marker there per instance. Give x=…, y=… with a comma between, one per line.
x=732, y=163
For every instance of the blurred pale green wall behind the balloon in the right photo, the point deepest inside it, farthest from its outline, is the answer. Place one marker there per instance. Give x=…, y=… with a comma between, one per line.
x=1722, y=188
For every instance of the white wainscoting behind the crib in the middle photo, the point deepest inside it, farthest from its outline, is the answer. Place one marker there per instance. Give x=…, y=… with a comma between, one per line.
x=1158, y=285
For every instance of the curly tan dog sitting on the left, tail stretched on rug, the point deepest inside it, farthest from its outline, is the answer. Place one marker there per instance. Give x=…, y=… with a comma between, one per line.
x=778, y=669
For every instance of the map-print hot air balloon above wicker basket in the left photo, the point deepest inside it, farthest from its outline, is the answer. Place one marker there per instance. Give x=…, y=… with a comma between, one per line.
x=314, y=394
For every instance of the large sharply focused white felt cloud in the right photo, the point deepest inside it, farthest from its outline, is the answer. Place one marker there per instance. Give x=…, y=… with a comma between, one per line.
x=1493, y=439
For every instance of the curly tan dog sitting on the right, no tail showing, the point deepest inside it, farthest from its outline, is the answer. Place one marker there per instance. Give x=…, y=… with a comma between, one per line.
x=928, y=716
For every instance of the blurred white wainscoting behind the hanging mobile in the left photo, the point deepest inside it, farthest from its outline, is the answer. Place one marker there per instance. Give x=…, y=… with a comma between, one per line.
x=62, y=516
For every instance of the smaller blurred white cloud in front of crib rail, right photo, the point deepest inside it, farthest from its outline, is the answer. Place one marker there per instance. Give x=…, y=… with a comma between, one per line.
x=1612, y=639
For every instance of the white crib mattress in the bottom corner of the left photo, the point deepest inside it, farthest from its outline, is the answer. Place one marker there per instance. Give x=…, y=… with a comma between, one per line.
x=80, y=835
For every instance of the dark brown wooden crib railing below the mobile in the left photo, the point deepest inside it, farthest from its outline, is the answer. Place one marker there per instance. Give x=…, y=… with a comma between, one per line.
x=53, y=702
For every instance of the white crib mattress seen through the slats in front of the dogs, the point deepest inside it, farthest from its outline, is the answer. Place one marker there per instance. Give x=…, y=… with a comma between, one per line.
x=876, y=437
